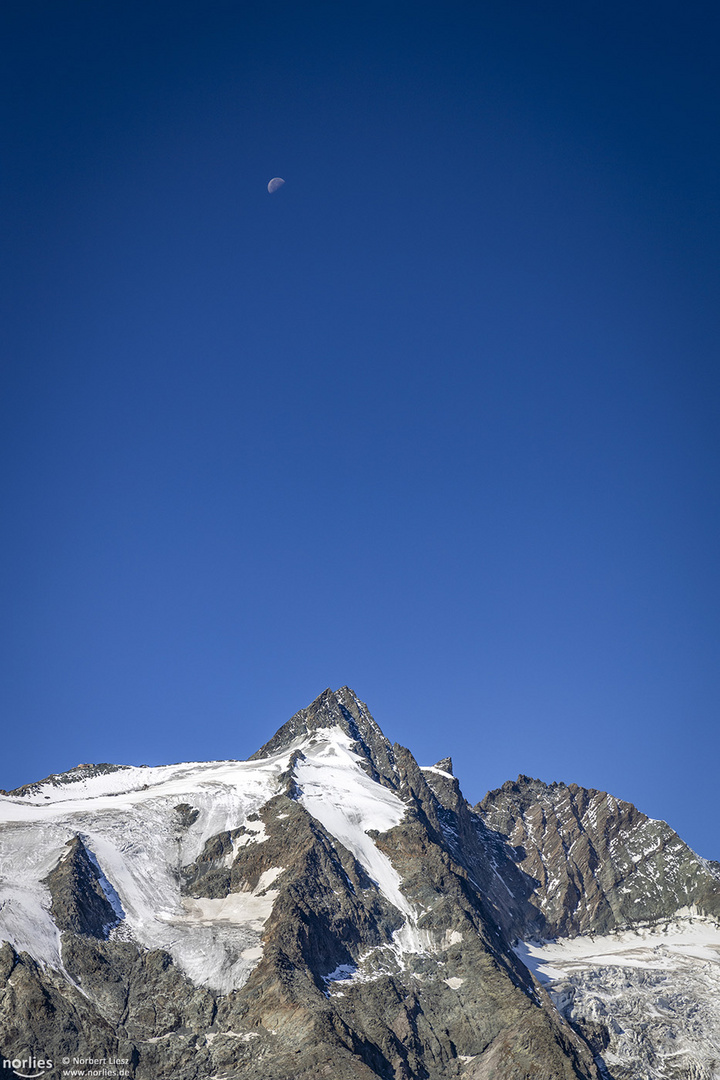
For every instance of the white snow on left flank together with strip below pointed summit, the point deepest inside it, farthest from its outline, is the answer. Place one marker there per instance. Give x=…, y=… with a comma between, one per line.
x=129, y=821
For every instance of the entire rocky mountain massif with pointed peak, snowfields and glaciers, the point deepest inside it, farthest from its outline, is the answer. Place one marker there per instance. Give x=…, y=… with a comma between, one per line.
x=331, y=909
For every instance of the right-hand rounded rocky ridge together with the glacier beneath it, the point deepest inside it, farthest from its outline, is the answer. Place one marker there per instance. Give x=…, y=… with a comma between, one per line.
x=645, y=992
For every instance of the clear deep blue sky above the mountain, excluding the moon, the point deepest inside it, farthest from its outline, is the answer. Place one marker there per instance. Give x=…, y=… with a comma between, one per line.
x=438, y=421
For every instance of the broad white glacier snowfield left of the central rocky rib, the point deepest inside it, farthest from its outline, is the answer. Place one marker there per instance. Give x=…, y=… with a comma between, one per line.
x=130, y=823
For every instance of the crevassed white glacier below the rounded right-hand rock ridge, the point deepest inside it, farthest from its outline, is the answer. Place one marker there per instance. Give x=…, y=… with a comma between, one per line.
x=655, y=991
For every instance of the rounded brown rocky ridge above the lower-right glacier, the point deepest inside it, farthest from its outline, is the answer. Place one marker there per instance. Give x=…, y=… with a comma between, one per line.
x=596, y=863
